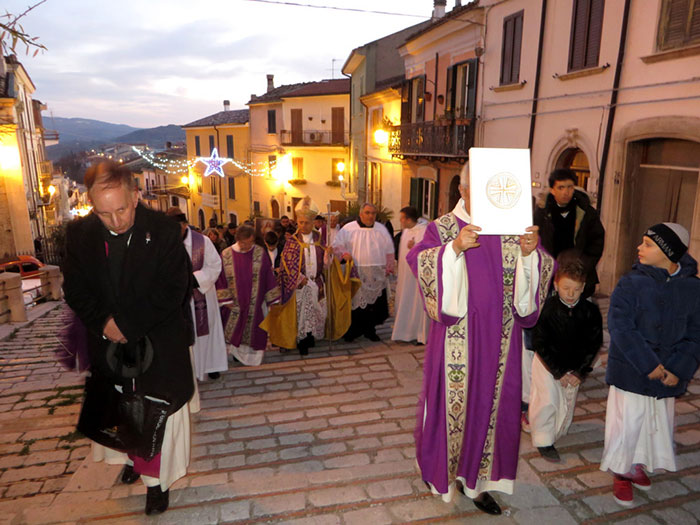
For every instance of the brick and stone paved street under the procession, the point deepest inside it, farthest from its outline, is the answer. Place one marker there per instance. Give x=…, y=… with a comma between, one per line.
x=323, y=440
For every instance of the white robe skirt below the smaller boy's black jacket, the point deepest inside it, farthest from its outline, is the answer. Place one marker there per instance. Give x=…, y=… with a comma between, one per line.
x=551, y=406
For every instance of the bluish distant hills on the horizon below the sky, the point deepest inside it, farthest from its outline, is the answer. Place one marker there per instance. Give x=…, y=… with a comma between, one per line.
x=79, y=134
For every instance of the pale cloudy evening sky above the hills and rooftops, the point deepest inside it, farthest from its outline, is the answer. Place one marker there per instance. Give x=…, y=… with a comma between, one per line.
x=153, y=62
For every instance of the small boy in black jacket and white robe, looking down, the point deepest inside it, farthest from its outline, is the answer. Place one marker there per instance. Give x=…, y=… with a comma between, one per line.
x=566, y=339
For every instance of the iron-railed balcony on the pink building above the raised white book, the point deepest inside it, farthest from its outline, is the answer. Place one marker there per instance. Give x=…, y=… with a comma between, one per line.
x=443, y=138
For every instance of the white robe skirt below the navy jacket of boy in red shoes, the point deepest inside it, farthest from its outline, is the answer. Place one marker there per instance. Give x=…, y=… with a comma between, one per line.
x=638, y=430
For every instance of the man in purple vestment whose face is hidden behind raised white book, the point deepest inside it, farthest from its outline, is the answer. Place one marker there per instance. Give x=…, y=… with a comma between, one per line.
x=480, y=291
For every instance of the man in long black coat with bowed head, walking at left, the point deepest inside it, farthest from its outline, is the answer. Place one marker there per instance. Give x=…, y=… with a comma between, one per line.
x=127, y=277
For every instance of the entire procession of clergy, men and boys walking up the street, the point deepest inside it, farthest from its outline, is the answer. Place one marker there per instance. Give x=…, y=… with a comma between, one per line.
x=165, y=307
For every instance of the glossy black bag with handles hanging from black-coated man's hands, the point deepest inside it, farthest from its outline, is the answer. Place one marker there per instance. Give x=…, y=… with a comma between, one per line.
x=129, y=421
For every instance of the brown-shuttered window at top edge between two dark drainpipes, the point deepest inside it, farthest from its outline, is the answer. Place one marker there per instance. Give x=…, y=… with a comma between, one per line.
x=586, y=31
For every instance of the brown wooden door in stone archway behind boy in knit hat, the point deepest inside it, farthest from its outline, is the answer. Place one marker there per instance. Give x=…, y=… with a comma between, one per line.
x=665, y=187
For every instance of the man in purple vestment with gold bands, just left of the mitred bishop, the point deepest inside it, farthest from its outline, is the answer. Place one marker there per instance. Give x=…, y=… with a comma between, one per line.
x=246, y=287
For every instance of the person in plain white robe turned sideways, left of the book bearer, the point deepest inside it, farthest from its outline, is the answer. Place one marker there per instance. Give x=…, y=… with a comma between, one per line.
x=410, y=320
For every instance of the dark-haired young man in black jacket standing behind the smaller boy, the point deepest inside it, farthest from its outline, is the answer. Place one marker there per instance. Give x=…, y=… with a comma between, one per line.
x=567, y=220
